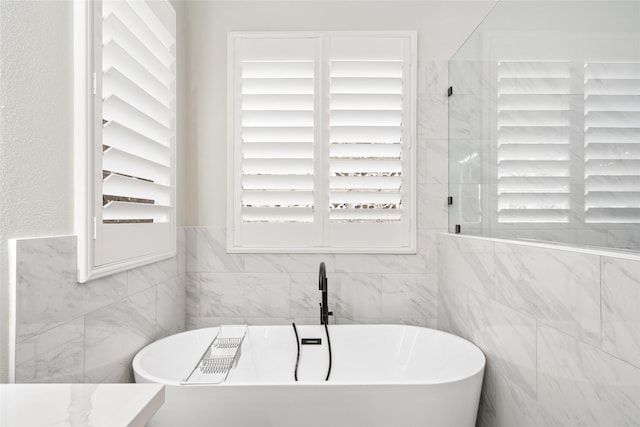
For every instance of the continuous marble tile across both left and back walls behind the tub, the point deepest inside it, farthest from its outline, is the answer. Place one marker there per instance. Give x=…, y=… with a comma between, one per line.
x=70, y=332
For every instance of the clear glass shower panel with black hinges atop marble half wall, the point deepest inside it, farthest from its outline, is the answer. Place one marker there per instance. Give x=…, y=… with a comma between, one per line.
x=544, y=124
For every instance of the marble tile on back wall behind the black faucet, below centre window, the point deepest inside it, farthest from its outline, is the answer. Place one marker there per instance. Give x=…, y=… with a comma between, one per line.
x=283, y=288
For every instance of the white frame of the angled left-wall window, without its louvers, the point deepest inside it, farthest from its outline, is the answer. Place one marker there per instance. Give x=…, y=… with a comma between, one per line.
x=100, y=251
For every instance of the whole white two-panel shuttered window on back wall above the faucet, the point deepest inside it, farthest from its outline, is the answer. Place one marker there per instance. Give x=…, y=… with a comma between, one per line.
x=322, y=142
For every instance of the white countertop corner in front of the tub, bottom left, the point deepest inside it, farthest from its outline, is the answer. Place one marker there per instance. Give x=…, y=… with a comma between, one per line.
x=95, y=405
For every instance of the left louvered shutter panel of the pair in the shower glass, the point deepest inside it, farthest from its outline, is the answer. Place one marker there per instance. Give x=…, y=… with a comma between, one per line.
x=533, y=153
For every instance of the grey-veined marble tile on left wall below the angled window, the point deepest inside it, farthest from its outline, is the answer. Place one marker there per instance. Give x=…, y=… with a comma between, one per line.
x=71, y=332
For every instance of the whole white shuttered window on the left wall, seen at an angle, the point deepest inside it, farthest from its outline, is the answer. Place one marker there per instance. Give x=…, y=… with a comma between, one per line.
x=125, y=146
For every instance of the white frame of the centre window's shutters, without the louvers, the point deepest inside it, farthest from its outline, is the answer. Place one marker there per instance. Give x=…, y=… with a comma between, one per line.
x=320, y=235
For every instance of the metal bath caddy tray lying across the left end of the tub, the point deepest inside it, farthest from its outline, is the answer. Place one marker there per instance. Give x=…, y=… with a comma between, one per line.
x=221, y=355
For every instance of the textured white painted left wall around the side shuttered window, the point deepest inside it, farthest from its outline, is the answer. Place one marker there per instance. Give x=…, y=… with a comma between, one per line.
x=36, y=131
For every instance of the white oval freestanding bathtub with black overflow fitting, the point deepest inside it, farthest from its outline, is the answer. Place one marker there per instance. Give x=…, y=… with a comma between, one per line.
x=381, y=376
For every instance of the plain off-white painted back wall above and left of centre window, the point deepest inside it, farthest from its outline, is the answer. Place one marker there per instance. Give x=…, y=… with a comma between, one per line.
x=442, y=27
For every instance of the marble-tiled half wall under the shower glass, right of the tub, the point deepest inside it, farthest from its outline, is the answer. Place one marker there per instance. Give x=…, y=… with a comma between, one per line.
x=559, y=328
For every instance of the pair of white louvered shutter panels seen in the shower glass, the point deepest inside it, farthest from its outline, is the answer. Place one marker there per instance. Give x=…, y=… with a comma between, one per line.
x=535, y=132
